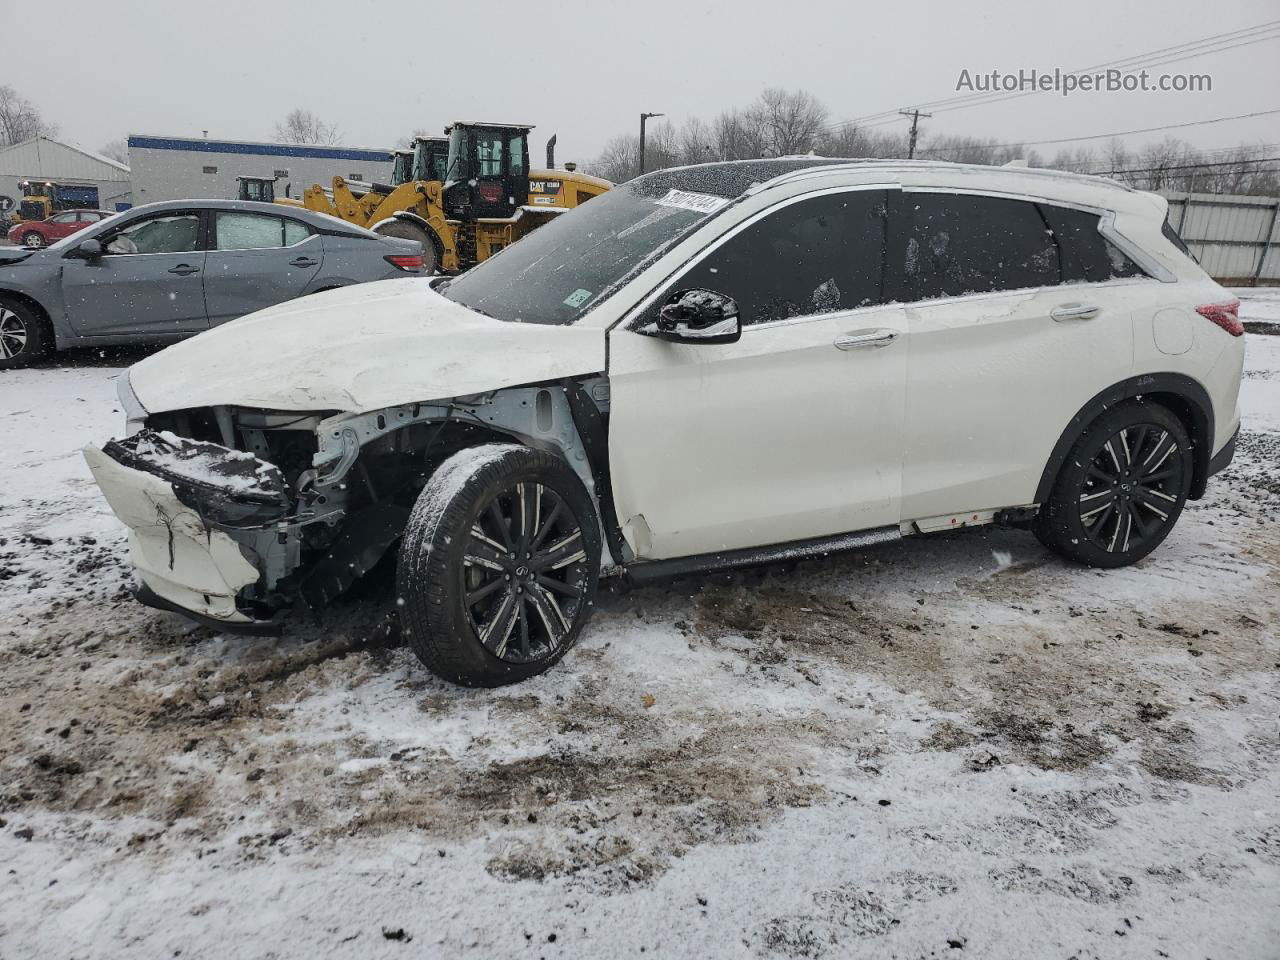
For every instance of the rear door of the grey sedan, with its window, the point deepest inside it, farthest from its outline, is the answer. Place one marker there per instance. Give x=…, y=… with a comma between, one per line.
x=258, y=260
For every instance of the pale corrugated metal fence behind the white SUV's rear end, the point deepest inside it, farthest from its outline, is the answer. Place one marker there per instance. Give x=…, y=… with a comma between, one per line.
x=1236, y=239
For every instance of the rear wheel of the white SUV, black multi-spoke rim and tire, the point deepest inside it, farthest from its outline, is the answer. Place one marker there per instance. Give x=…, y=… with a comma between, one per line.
x=1122, y=488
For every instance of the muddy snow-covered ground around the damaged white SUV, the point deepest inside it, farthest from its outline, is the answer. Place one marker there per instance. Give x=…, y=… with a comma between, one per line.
x=954, y=747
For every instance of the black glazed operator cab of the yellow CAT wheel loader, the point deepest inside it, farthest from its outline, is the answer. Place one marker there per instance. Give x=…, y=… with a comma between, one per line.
x=488, y=171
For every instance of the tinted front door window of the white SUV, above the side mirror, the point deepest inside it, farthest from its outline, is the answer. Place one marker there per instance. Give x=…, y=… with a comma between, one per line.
x=815, y=257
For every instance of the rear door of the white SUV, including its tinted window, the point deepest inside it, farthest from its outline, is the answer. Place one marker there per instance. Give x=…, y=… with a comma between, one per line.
x=1003, y=353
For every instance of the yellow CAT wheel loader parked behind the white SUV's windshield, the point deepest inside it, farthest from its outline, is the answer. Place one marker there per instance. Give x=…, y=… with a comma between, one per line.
x=468, y=196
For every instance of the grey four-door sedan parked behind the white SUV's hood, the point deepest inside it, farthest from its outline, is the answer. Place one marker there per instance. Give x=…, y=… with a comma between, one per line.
x=164, y=272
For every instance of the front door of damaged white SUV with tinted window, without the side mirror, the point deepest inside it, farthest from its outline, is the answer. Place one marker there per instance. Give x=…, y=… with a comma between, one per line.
x=789, y=435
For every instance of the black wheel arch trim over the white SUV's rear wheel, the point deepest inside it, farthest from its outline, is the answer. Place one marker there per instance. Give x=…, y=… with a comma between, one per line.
x=1192, y=405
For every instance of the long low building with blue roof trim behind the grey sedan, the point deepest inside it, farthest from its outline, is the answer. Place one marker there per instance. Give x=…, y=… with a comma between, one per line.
x=179, y=168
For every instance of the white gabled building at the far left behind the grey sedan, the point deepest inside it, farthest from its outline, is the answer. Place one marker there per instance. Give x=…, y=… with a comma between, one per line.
x=88, y=180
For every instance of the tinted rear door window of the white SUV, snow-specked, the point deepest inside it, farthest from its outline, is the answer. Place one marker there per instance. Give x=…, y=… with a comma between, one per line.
x=947, y=245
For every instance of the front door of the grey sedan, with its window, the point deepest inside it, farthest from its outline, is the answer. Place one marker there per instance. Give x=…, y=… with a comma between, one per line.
x=148, y=282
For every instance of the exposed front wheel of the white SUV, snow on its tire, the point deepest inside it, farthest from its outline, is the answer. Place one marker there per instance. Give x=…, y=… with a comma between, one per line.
x=499, y=565
